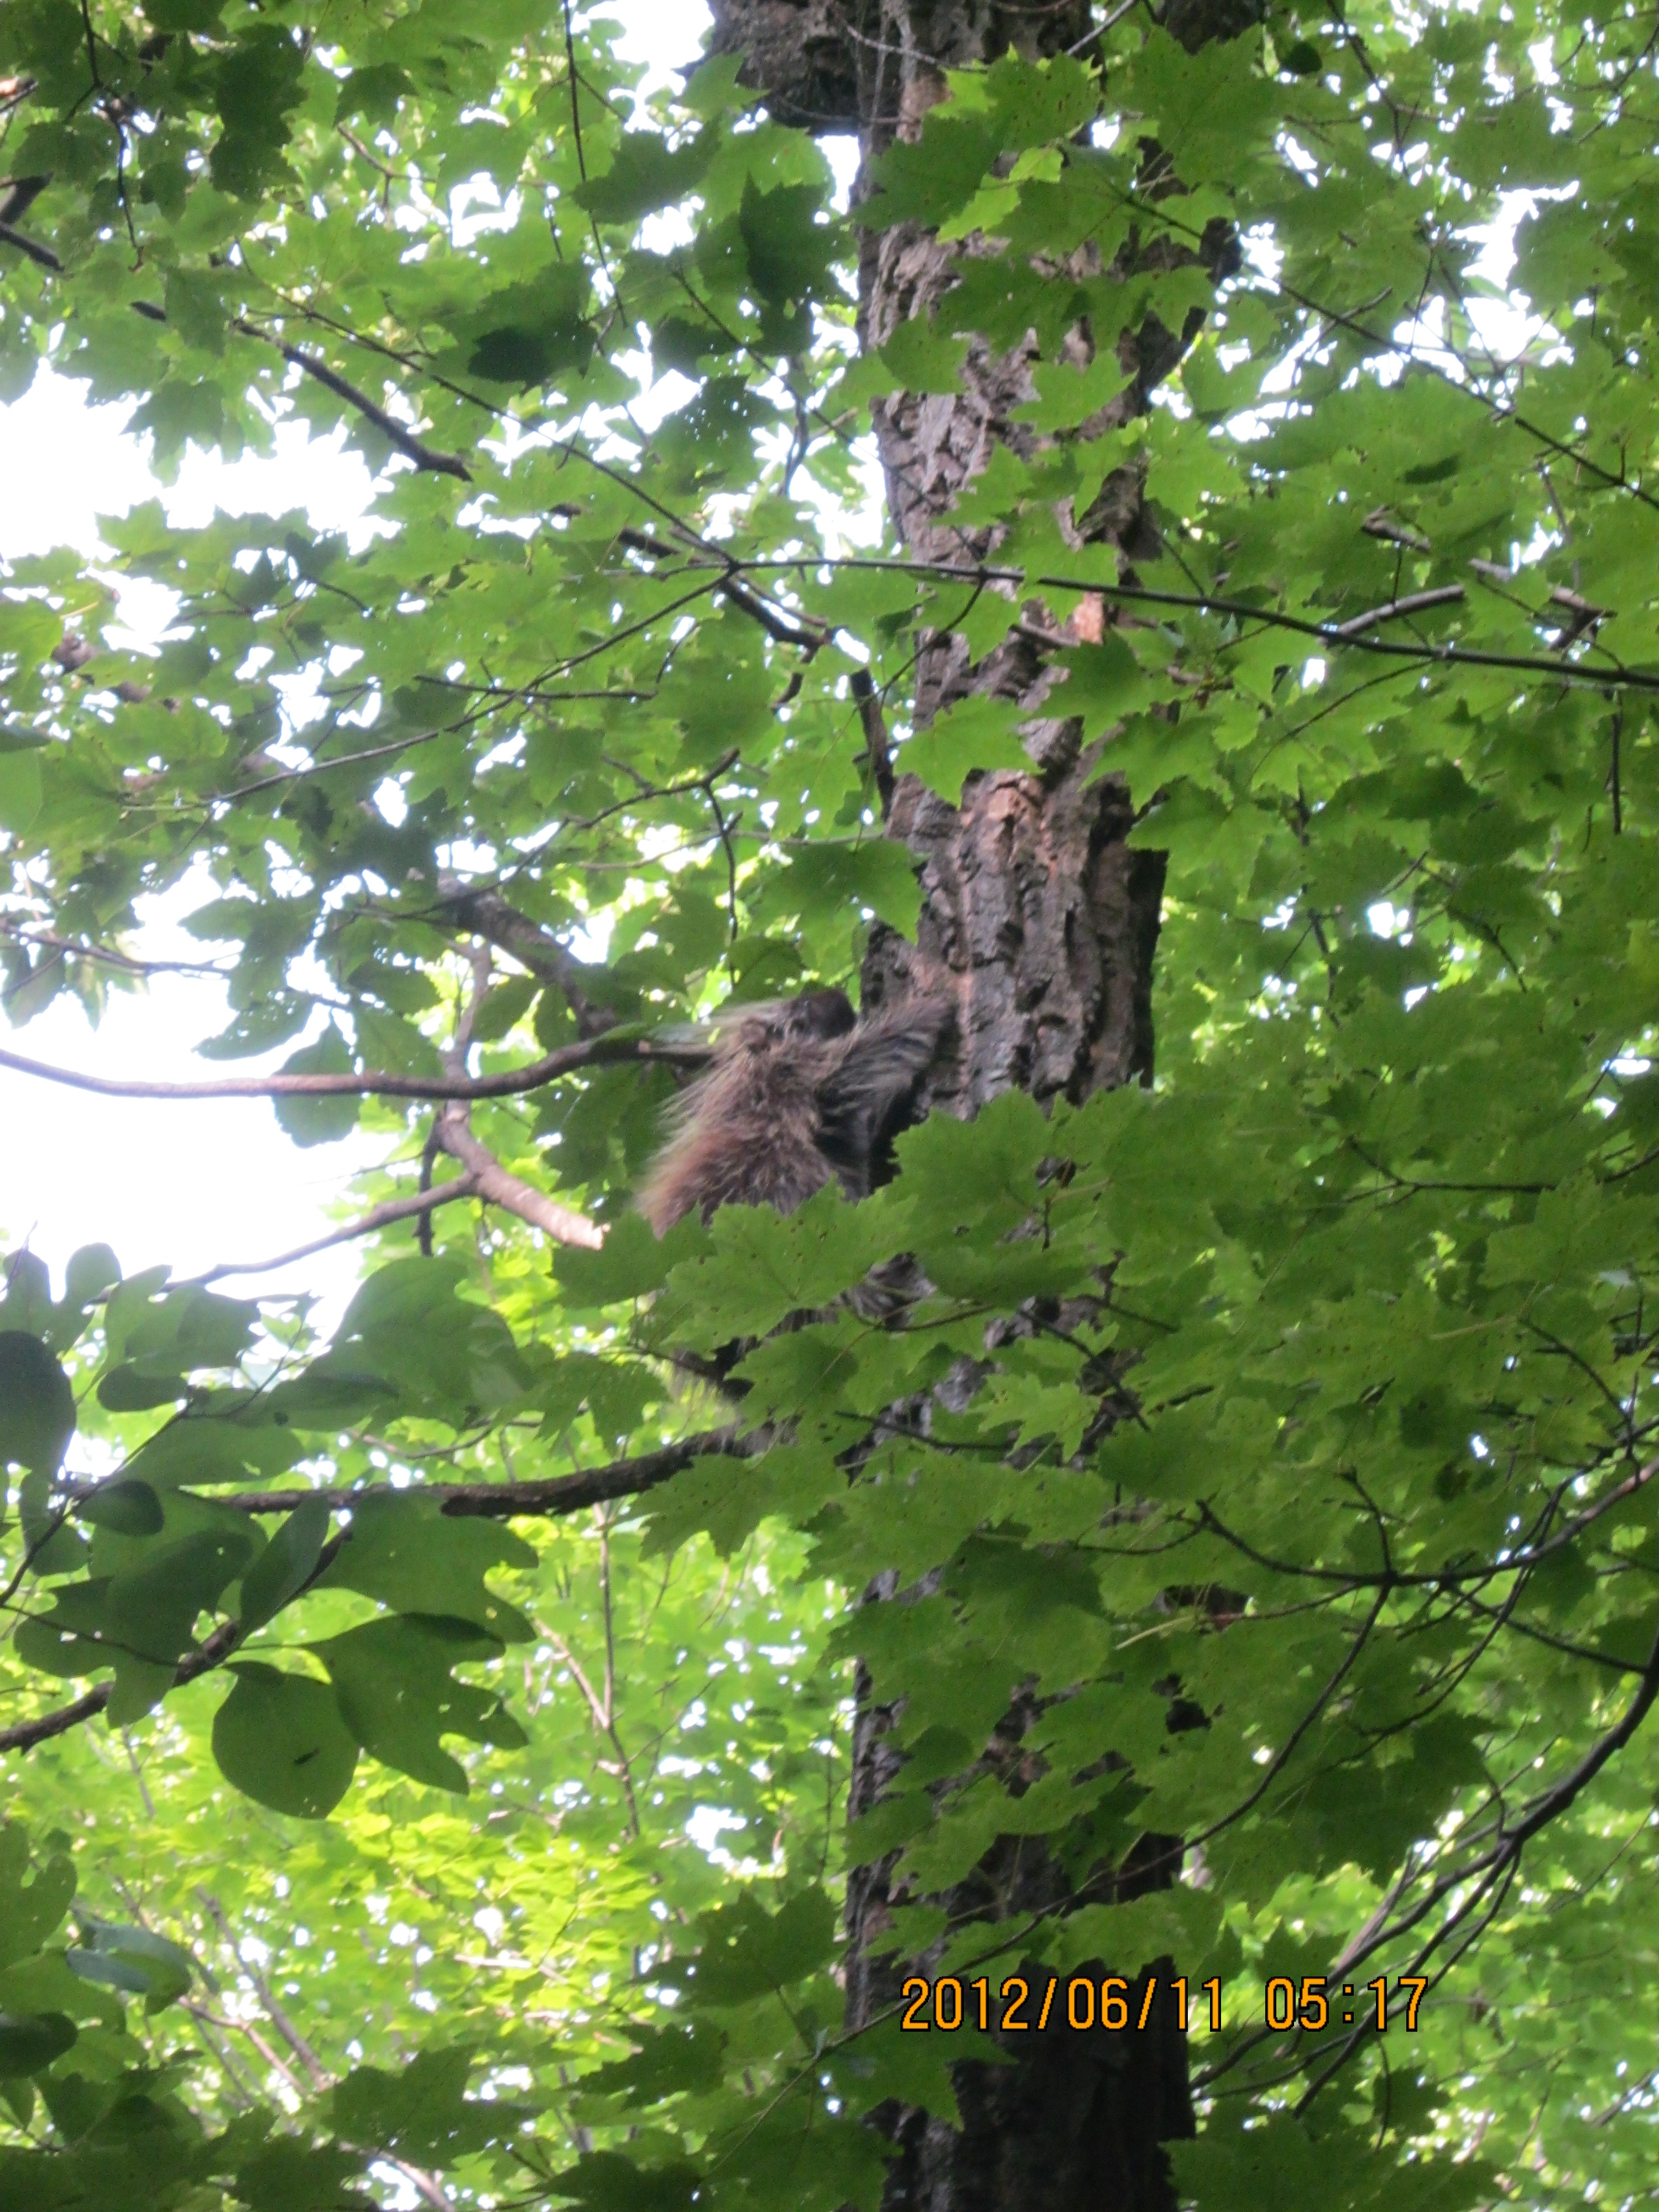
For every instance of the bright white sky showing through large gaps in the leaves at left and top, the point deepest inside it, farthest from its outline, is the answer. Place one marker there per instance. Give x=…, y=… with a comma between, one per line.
x=189, y=1185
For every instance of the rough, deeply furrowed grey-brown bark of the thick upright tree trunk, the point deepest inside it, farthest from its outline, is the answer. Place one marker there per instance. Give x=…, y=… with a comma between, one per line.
x=1041, y=921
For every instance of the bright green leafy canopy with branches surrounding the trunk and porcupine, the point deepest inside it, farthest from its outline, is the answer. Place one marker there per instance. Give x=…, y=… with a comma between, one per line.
x=379, y=1855
